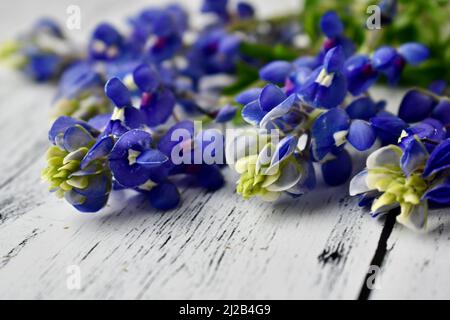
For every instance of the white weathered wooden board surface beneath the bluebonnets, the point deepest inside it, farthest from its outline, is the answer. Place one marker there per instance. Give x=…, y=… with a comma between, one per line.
x=215, y=246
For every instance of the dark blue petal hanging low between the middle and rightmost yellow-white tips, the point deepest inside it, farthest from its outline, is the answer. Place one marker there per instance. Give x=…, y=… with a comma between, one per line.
x=337, y=171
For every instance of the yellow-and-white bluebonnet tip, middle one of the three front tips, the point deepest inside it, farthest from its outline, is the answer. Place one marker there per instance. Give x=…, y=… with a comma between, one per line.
x=268, y=169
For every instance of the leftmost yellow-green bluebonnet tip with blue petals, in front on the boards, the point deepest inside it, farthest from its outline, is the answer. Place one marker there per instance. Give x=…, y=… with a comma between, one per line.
x=86, y=186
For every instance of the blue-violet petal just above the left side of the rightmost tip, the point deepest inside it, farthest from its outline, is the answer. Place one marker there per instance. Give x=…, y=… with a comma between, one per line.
x=388, y=128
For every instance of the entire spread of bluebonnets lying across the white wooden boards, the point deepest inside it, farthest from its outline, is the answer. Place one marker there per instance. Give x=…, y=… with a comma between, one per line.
x=127, y=111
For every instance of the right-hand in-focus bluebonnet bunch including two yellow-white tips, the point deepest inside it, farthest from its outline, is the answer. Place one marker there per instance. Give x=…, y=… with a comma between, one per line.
x=322, y=109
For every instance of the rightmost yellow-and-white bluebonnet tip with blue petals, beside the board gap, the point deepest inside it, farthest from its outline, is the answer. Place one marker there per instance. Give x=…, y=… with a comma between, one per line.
x=410, y=178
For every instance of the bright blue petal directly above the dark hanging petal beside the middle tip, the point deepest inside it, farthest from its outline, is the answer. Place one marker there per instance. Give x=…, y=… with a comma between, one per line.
x=326, y=125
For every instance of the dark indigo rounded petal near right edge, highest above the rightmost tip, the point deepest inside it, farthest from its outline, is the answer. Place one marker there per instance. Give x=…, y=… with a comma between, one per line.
x=416, y=105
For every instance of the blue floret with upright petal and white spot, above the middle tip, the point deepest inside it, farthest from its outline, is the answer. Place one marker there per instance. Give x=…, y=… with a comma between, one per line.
x=326, y=87
